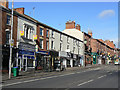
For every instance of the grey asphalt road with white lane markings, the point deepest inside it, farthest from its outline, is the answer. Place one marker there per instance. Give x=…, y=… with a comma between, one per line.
x=105, y=76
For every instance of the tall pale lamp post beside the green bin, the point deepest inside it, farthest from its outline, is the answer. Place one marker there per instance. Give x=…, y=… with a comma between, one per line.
x=10, y=59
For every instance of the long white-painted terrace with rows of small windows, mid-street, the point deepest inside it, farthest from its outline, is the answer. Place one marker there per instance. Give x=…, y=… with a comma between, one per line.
x=68, y=47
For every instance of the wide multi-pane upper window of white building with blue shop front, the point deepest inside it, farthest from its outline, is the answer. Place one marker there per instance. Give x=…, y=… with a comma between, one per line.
x=28, y=31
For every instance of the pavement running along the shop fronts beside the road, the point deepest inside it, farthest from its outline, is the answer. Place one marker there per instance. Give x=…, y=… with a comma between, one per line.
x=41, y=73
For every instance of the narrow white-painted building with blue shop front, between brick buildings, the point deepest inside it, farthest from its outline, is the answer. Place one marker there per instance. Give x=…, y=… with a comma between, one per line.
x=26, y=43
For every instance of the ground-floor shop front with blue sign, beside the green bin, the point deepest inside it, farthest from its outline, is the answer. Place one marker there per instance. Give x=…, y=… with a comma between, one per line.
x=26, y=57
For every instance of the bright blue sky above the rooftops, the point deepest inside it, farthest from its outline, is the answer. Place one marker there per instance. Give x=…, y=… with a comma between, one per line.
x=99, y=17
